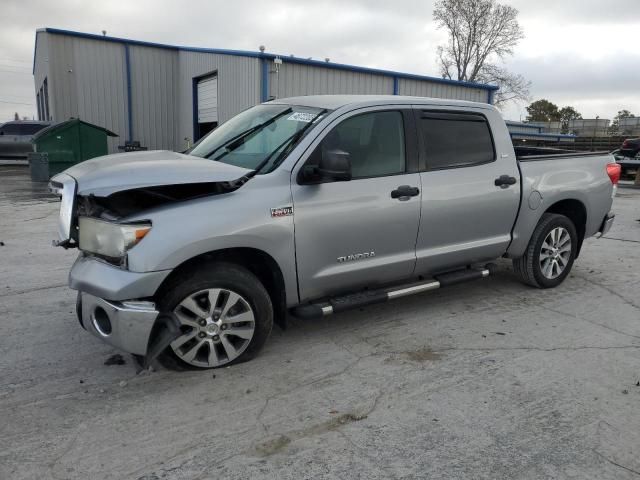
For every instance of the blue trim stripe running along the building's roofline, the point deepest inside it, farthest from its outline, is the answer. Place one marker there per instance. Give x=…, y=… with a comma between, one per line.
x=271, y=56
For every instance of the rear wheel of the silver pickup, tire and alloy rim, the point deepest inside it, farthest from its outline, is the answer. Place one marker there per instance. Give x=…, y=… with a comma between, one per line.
x=536, y=267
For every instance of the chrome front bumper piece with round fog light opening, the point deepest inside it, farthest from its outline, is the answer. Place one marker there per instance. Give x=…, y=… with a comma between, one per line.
x=125, y=325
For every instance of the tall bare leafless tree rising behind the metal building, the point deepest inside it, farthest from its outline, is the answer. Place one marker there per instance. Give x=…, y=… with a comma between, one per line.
x=480, y=33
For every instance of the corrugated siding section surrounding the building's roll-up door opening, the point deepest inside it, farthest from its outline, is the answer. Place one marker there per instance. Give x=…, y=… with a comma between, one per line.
x=238, y=86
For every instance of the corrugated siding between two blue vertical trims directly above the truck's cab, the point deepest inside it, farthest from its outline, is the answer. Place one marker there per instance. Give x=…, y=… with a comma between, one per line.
x=294, y=80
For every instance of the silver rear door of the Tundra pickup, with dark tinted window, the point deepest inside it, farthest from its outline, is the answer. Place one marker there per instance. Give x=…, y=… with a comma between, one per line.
x=466, y=217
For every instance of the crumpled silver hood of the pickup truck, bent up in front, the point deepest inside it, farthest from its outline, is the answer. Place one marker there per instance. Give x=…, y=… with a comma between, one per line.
x=103, y=176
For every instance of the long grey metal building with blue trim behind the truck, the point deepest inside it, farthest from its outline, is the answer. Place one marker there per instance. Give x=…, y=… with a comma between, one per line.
x=165, y=96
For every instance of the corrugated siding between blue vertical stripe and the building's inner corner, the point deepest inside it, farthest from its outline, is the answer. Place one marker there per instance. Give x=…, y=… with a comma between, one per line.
x=154, y=74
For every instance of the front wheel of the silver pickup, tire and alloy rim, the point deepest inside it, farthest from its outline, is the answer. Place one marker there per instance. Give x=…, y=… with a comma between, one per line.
x=225, y=313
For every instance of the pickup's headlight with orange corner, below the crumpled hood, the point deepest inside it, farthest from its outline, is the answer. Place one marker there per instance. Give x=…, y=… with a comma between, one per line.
x=108, y=239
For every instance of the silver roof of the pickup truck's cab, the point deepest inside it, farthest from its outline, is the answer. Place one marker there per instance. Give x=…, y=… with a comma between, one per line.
x=332, y=102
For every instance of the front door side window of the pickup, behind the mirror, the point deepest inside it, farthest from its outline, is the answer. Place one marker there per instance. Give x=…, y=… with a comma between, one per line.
x=374, y=141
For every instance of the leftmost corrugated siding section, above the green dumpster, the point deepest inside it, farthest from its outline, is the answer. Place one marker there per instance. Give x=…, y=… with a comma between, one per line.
x=87, y=81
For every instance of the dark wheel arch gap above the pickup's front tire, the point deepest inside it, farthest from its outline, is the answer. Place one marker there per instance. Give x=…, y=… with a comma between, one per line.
x=257, y=261
